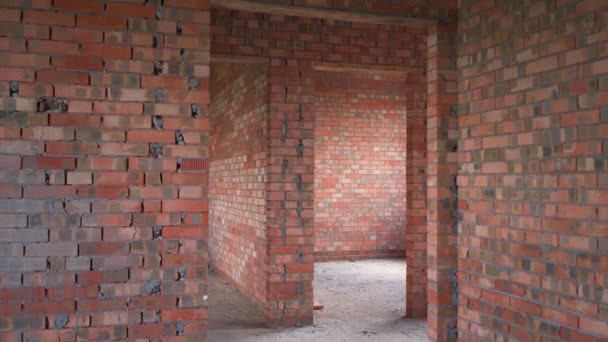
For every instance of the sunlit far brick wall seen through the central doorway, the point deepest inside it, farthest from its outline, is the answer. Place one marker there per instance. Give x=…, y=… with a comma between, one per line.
x=360, y=165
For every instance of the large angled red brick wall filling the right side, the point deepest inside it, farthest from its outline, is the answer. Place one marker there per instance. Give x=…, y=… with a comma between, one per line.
x=533, y=186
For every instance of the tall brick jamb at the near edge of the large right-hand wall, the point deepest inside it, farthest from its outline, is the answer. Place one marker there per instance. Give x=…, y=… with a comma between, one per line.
x=441, y=183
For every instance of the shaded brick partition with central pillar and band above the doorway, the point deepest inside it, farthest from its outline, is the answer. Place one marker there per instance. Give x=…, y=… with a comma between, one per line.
x=292, y=44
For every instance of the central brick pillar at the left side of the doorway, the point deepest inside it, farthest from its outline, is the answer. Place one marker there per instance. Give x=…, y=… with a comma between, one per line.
x=290, y=206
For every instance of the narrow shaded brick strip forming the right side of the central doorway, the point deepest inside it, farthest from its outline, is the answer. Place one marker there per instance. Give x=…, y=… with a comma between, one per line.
x=416, y=199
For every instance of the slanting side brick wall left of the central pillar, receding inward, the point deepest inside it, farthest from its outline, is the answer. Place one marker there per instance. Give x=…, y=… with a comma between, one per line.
x=239, y=110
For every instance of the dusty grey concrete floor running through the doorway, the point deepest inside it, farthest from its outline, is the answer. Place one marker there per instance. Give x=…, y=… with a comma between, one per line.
x=364, y=301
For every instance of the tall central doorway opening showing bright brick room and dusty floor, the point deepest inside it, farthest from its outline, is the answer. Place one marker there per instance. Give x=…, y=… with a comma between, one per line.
x=360, y=201
